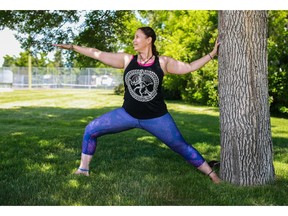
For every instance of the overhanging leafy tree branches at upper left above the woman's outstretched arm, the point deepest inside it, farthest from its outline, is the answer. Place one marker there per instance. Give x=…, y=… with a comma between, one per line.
x=38, y=30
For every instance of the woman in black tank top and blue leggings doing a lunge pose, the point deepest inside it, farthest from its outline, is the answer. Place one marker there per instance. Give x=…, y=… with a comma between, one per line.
x=143, y=106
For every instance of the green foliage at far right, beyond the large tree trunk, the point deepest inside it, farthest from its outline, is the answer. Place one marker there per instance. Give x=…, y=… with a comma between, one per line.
x=278, y=61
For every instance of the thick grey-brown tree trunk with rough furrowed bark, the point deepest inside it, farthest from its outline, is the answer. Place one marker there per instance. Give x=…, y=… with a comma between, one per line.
x=246, y=143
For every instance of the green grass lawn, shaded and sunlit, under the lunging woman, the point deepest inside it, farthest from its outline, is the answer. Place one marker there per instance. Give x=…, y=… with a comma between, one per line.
x=40, y=147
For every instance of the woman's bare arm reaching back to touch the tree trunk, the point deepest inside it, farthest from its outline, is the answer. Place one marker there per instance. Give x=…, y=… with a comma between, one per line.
x=173, y=66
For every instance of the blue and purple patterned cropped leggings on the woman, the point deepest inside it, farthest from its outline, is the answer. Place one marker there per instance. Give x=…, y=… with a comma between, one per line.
x=164, y=128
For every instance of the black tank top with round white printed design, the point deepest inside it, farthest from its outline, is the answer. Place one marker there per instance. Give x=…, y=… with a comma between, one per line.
x=143, y=98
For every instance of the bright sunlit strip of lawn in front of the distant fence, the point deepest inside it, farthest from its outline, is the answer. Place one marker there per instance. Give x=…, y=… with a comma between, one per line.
x=60, y=98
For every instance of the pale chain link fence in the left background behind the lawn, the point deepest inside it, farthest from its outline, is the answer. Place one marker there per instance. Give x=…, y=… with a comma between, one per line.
x=18, y=77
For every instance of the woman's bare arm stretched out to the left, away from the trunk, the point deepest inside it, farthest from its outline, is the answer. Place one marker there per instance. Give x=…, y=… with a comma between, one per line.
x=116, y=60
